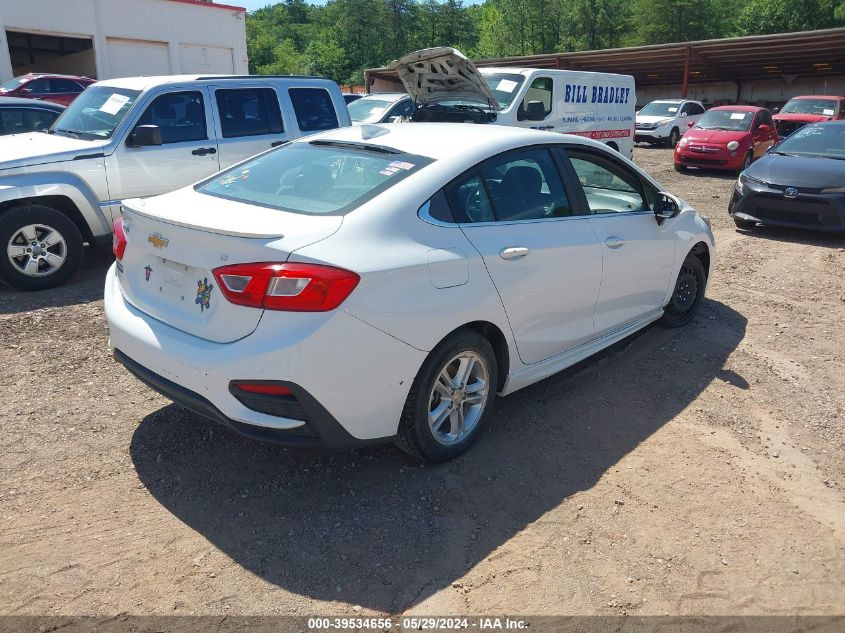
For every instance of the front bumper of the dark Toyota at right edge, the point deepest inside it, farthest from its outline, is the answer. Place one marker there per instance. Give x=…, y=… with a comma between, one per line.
x=825, y=212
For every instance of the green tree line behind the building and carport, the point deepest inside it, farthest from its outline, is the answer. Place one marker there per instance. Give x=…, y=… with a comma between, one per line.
x=342, y=38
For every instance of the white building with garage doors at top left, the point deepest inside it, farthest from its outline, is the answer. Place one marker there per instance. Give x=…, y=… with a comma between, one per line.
x=104, y=39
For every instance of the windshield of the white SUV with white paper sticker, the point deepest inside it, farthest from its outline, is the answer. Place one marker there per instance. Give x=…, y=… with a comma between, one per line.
x=96, y=112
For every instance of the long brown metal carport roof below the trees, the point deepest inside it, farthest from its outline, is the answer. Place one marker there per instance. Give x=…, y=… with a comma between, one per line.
x=784, y=55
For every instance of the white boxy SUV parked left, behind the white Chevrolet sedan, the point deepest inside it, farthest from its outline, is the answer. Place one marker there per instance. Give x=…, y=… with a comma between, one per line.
x=138, y=136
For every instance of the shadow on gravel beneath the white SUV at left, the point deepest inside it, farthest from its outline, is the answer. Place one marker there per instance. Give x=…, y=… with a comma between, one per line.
x=85, y=286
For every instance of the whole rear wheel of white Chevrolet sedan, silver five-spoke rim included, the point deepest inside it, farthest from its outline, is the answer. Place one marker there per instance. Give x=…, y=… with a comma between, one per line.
x=450, y=399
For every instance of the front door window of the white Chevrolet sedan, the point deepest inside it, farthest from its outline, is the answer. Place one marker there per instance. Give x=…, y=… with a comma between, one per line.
x=608, y=186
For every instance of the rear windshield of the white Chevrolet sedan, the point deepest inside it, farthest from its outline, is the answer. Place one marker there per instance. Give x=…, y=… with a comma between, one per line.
x=317, y=178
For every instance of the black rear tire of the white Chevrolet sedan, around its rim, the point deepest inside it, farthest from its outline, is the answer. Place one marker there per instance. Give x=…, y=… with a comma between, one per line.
x=415, y=435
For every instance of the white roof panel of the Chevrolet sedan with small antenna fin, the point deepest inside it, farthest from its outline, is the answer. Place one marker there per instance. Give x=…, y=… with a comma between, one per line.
x=439, y=140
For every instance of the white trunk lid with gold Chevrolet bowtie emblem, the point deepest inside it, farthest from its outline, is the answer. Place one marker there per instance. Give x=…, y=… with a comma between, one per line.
x=173, y=246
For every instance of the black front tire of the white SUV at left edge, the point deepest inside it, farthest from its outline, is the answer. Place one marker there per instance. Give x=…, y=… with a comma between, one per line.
x=70, y=248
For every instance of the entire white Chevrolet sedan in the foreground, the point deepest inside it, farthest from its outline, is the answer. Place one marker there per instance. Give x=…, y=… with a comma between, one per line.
x=385, y=282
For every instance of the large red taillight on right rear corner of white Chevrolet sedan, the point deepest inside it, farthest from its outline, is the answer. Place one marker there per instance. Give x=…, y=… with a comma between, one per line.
x=292, y=287
